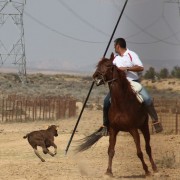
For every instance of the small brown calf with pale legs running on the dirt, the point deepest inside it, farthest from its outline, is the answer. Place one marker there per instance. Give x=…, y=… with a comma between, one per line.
x=43, y=138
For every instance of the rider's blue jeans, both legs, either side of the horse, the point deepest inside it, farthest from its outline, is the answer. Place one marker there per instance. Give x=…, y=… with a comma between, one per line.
x=145, y=95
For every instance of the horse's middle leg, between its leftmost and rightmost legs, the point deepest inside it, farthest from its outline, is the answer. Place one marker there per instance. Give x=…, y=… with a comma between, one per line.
x=136, y=137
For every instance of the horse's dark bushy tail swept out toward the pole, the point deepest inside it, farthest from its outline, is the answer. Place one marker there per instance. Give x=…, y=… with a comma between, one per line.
x=88, y=141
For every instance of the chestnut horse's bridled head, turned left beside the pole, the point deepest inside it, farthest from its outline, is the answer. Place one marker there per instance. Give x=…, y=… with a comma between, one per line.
x=104, y=71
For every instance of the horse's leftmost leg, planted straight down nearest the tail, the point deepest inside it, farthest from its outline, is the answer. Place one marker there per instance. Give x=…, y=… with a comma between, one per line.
x=111, y=151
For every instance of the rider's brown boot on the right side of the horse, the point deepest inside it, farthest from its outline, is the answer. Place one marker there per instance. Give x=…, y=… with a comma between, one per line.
x=152, y=112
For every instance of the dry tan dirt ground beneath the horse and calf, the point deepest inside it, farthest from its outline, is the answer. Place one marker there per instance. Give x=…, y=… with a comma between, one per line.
x=18, y=161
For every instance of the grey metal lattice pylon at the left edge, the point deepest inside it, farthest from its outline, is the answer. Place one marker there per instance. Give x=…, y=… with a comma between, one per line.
x=12, y=49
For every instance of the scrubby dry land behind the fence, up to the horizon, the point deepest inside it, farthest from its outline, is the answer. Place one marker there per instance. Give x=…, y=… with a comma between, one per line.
x=77, y=85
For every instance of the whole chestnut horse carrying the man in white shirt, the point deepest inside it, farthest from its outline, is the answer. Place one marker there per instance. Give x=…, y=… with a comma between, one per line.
x=126, y=113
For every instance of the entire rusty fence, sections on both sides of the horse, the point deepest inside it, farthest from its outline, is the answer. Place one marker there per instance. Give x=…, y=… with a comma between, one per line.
x=15, y=108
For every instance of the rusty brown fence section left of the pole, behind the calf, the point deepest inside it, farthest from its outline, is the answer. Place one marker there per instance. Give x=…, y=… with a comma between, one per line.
x=21, y=108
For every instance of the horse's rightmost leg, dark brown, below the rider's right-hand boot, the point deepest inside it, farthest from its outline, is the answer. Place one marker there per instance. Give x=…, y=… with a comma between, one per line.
x=146, y=134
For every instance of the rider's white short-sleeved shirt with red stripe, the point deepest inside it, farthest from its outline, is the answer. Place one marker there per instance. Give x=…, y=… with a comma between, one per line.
x=129, y=59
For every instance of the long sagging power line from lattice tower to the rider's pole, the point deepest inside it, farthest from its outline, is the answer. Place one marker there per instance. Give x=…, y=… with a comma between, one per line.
x=60, y=33
